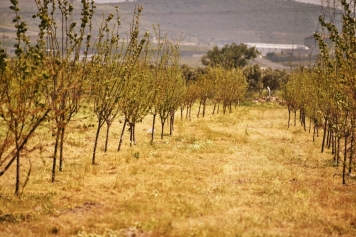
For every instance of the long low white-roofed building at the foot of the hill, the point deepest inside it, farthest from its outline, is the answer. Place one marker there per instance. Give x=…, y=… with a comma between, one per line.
x=292, y=49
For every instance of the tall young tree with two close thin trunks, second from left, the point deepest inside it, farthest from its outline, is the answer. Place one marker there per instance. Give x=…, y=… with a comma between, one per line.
x=67, y=72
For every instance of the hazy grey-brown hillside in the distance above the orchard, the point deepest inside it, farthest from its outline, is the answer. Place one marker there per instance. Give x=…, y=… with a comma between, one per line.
x=207, y=22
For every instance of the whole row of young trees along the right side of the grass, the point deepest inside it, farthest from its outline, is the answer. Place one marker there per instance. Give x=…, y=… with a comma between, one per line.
x=326, y=93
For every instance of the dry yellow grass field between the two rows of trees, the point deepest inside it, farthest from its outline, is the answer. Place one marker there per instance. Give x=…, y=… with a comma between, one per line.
x=238, y=174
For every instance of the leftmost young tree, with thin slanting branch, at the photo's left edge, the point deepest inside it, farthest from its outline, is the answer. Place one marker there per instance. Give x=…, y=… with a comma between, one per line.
x=23, y=98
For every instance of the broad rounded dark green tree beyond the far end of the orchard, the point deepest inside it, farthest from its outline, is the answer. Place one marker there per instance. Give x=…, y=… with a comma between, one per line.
x=230, y=56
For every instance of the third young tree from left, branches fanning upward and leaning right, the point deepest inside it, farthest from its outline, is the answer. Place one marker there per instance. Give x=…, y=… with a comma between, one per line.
x=112, y=67
